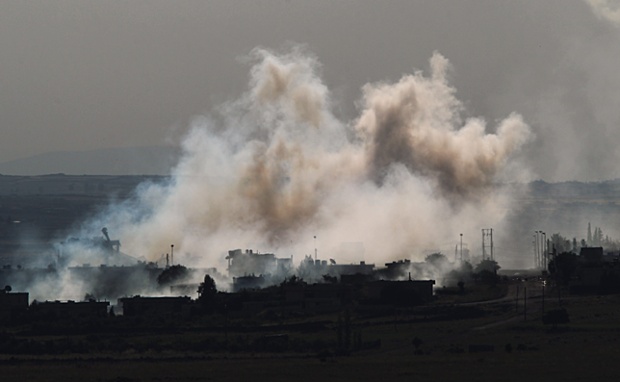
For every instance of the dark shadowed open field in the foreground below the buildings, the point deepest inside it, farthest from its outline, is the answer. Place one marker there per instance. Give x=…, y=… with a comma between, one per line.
x=483, y=342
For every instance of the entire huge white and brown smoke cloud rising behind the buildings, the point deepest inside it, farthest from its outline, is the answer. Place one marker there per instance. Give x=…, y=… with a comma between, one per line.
x=276, y=168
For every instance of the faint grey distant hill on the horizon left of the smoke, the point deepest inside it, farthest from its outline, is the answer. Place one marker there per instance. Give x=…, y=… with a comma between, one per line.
x=152, y=160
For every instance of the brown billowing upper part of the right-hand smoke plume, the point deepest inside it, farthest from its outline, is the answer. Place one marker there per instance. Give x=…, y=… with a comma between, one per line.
x=416, y=122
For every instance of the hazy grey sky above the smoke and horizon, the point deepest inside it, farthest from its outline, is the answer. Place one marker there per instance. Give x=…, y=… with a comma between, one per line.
x=81, y=75
